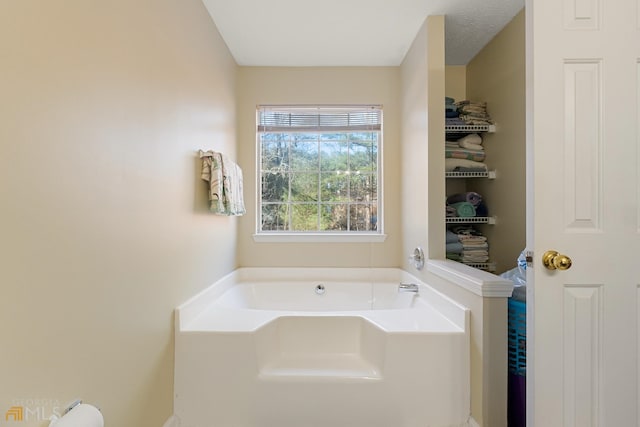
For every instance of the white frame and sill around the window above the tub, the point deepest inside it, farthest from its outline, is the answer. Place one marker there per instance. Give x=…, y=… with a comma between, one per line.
x=377, y=235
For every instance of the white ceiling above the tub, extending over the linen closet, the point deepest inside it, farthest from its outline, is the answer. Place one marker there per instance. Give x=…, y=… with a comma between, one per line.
x=352, y=32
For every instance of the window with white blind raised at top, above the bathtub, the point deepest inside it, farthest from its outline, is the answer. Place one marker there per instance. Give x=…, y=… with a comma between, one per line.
x=319, y=169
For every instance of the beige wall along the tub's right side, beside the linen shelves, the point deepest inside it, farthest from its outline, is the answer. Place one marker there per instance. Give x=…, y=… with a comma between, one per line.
x=421, y=97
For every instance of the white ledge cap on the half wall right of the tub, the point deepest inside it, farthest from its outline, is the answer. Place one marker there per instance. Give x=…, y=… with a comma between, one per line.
x=479, y=282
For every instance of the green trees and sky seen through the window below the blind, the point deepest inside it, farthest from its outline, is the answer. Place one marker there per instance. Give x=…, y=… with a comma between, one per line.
x=319, y=181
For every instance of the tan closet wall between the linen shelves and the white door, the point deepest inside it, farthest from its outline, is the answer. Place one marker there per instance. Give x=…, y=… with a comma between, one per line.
x=497, y=75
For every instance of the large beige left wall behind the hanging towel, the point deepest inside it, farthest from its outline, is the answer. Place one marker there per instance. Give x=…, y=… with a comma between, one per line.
x=104, y=221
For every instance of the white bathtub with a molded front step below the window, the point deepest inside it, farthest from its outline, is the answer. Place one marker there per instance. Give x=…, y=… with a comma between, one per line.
x=314, y=347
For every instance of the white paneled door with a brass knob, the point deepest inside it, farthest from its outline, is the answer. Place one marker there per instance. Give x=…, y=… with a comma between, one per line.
x=583, y=138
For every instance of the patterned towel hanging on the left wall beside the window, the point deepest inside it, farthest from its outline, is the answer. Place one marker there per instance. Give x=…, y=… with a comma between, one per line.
x=225, y=183
